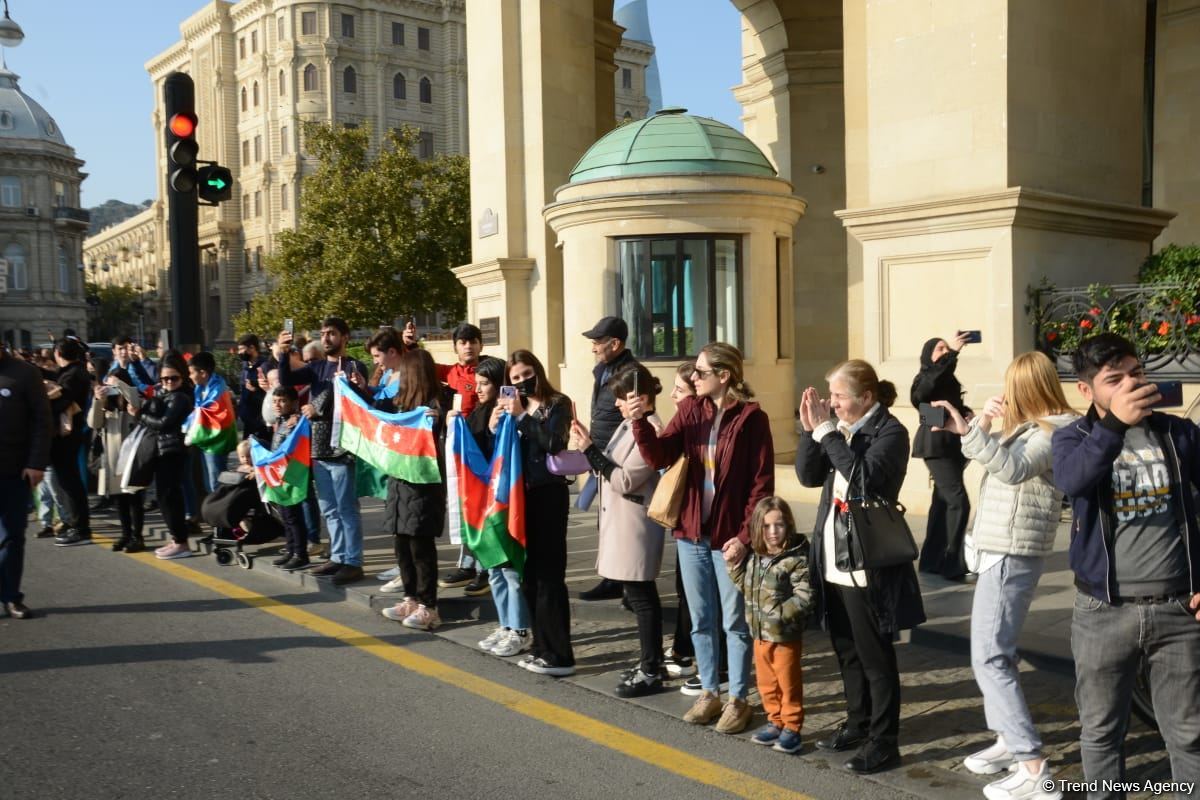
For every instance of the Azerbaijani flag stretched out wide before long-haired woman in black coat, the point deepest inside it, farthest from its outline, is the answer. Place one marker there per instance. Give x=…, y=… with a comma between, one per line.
x=400, y=446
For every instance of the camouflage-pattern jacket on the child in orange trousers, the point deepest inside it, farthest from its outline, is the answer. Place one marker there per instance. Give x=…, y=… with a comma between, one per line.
x=778, y=594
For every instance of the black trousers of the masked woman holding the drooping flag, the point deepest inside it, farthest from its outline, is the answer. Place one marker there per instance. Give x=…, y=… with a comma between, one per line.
x=545, y=575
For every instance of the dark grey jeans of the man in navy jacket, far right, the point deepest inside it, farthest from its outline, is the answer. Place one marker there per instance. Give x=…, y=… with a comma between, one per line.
x=1108, y=643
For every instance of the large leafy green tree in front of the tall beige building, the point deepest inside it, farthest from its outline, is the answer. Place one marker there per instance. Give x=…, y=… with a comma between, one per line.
x=377, y=237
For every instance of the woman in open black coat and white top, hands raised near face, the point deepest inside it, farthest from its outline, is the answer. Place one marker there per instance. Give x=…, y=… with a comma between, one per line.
x=863, y=611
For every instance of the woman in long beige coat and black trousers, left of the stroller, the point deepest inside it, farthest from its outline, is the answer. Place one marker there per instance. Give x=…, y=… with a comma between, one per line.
x=111, y=420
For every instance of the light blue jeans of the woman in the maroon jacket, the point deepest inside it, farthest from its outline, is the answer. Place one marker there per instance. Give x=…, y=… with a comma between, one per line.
x=715, y=603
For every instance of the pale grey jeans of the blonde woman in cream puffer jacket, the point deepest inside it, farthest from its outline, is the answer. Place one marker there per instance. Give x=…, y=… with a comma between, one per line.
x=1001, y=605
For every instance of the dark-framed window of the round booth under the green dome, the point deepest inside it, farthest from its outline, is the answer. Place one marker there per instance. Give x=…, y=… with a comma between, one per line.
x=680, y=294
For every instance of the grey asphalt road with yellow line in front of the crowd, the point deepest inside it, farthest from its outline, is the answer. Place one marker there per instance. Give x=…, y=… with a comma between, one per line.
x=143, y=679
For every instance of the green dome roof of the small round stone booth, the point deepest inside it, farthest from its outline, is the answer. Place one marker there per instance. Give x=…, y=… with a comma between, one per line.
x=671, y=142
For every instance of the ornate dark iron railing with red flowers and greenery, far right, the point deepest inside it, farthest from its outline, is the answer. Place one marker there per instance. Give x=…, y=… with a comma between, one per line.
x=1162, y=320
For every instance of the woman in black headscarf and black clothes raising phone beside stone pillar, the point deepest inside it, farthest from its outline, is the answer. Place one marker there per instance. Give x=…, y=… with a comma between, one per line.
x=943, y=453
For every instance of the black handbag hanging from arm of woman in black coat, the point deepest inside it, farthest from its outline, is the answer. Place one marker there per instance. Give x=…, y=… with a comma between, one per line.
x=871, y=533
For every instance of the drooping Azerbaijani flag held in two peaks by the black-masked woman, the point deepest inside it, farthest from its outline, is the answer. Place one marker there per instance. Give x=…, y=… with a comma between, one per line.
x=488, y=498
